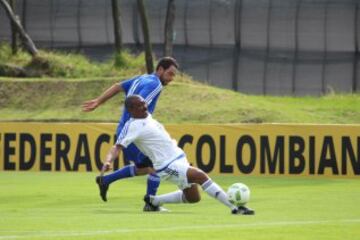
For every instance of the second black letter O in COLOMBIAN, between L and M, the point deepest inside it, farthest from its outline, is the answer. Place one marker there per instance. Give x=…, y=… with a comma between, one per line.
x=246, y=140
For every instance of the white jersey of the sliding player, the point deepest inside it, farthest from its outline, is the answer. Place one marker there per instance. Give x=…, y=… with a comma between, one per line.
x=152, y=140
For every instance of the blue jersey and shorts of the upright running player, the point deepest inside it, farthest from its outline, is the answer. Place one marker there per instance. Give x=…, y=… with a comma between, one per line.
x=149, y=87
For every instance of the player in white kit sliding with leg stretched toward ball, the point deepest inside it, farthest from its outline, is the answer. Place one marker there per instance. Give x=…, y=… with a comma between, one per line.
x=169, y=161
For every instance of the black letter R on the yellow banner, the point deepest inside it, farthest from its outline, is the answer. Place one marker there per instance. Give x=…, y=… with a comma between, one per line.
x=62, y=152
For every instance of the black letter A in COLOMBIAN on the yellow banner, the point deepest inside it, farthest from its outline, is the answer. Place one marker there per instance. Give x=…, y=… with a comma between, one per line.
x=328, y=147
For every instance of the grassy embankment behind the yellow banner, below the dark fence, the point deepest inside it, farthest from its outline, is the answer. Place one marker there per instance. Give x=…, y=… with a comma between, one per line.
x=59, y=95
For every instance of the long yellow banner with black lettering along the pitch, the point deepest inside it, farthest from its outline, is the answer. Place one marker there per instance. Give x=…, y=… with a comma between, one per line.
x=241, y=149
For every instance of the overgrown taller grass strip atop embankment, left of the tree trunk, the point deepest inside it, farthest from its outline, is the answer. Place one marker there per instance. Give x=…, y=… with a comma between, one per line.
x=56, y=64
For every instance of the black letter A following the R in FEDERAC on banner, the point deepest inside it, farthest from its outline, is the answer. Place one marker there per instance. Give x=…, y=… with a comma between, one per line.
x=82, y=146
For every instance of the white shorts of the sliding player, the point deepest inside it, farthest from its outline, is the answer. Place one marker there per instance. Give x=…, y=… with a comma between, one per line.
x=175, y=172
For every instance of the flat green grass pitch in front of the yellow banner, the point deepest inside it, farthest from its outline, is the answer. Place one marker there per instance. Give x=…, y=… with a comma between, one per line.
x=67, y=206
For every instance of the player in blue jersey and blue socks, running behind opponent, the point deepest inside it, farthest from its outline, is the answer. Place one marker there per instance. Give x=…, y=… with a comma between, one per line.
x=148, y=86
